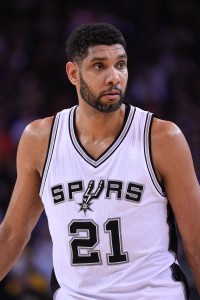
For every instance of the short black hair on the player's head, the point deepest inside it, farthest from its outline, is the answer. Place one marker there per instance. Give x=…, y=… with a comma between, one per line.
x=89, y=35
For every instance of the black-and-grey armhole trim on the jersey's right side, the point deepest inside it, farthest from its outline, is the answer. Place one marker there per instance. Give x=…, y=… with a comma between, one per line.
x=148, y=154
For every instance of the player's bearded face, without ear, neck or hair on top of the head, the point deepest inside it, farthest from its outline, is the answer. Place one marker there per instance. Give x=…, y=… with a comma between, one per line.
x=103, y=77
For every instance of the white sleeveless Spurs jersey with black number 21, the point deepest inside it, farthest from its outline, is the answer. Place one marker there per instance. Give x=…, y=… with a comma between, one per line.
x=109, y=217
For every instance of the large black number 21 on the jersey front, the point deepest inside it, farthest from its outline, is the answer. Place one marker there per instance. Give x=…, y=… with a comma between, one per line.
x=90, y=240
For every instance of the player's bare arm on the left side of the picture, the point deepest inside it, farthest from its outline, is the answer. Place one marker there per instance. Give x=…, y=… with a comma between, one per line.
x=25, y=206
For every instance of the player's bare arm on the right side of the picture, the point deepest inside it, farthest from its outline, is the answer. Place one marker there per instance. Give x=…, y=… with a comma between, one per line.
x=174, y=166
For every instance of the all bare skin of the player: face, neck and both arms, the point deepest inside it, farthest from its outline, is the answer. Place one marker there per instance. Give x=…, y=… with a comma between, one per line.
x=103, y=70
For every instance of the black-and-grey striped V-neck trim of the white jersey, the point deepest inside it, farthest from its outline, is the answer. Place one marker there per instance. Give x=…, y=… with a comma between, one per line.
x=128, y=118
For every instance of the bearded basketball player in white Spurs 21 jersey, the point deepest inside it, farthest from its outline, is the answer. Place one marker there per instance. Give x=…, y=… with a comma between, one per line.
x=111, y=178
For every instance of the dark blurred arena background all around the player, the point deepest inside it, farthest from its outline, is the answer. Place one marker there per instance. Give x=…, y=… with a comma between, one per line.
x=163, y=47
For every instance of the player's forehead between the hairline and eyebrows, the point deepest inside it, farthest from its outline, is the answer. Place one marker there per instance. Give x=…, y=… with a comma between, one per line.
x=106, y=52
